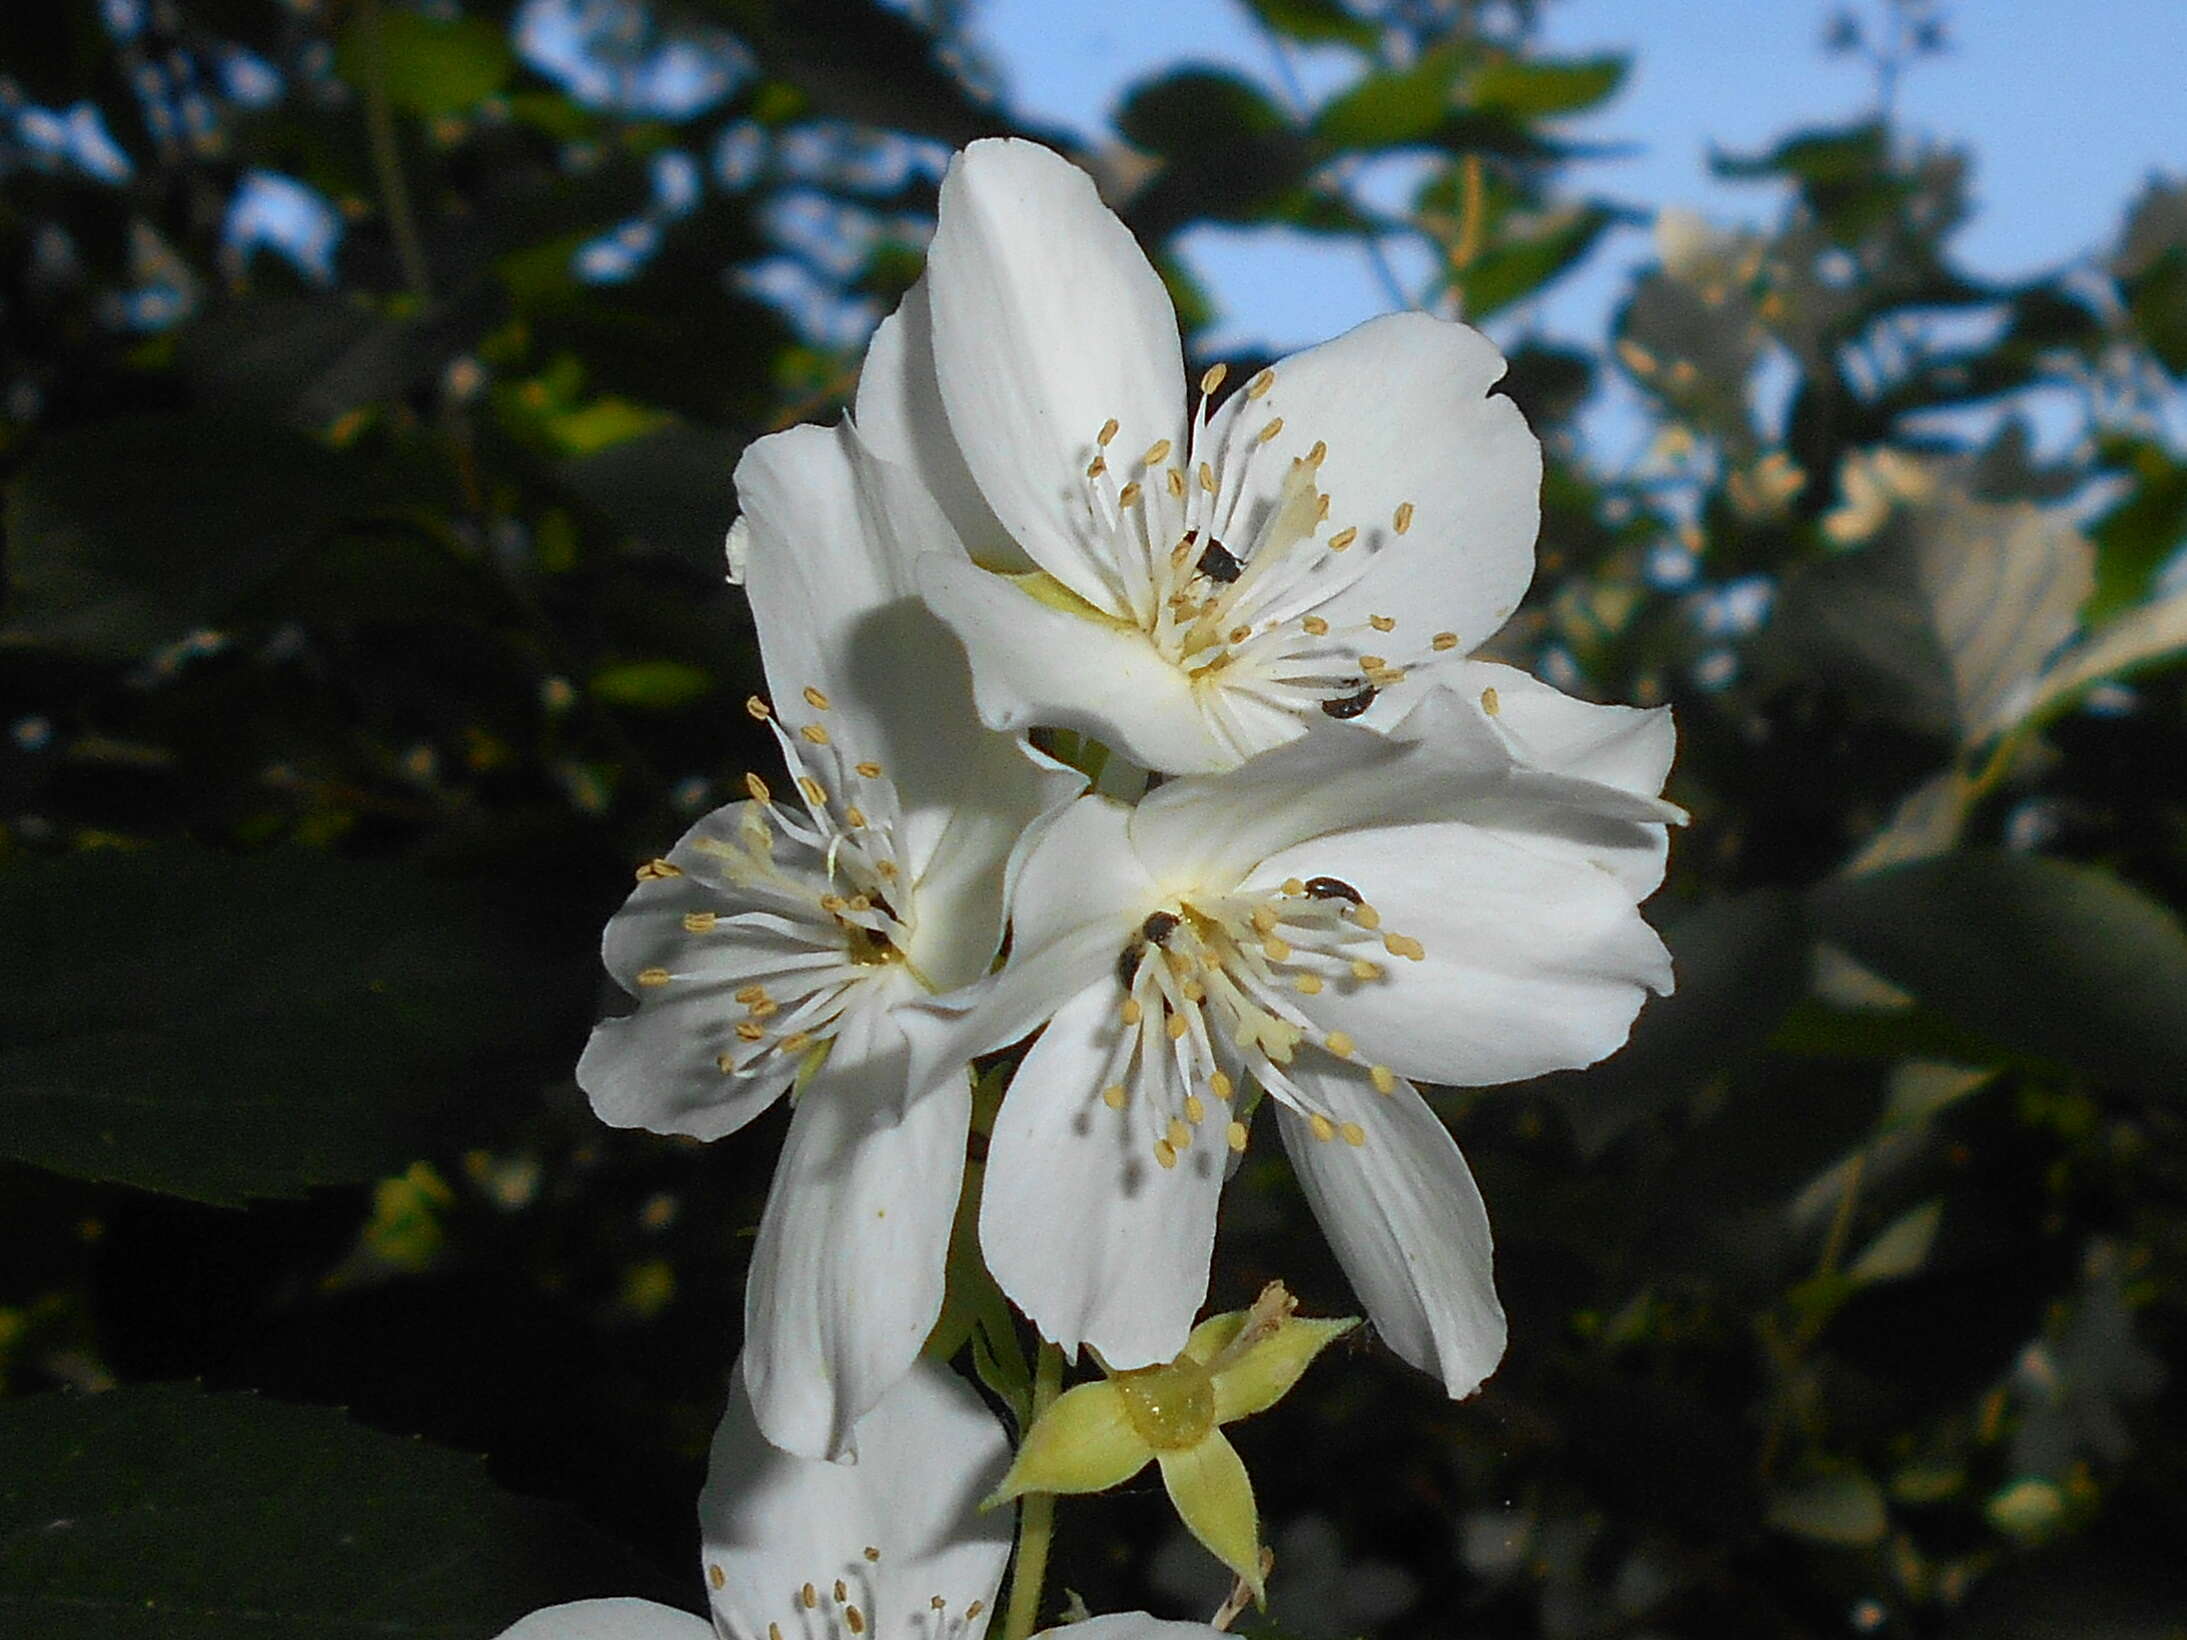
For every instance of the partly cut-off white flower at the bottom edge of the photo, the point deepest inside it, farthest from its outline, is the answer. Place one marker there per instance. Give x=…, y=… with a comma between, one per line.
x=887, y=1549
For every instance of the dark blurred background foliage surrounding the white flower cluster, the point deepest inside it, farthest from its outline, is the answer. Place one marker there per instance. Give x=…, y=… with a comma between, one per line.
x=364, y=631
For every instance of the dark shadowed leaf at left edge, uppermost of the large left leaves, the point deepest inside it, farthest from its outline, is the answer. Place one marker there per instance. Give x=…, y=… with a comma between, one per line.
x=130, y=535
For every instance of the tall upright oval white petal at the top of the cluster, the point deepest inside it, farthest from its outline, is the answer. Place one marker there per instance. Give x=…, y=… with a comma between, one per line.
x=1049, y=323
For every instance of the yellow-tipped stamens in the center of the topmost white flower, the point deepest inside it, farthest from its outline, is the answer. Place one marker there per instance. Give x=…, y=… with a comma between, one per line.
x=1235, y=589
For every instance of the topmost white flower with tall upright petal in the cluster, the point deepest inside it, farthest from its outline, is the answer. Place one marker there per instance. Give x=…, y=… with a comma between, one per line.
x=1191, y=589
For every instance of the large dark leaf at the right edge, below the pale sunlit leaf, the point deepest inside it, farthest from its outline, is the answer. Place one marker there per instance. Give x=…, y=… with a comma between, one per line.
x=2039, y=957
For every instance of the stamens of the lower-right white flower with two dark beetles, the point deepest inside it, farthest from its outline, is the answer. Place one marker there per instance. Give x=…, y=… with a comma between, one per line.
x=1219, y=992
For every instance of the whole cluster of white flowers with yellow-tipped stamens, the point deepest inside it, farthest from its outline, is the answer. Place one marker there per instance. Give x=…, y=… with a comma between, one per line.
x=1326, y=854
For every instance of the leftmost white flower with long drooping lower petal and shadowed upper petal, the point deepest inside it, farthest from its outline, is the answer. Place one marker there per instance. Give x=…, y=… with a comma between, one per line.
x=784, y=937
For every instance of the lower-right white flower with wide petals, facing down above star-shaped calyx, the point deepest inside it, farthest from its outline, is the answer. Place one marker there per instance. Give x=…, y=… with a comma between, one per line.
x=1322, y=924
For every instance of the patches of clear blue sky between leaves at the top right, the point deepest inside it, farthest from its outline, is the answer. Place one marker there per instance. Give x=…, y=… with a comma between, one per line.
x=2066, y=117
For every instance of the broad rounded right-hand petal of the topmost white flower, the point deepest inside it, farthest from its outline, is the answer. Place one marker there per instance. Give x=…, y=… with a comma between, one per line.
x=1405, y=412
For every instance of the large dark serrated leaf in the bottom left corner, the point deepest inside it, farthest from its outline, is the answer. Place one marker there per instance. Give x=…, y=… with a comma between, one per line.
x=167, y=1514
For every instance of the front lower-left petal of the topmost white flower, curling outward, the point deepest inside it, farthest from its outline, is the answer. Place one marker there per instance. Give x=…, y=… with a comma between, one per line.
x=1042, y=666
